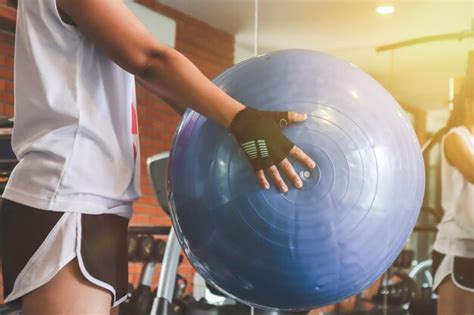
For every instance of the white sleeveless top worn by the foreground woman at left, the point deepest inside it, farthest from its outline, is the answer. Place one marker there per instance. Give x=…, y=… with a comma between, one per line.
x=75, y=132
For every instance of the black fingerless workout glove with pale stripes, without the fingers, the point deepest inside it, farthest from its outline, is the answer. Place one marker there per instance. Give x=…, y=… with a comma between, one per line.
x=260, y=136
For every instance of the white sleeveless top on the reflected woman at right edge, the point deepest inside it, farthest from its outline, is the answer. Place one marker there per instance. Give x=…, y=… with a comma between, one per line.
x=456, y=230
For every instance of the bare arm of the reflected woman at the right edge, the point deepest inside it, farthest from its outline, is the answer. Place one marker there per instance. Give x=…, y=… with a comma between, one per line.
x=459, y=155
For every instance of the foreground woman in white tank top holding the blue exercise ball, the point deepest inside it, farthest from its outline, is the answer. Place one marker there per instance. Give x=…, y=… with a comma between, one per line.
x=68, y=201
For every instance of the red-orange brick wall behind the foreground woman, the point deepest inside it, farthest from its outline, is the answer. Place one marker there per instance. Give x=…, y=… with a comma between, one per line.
x=210, y=49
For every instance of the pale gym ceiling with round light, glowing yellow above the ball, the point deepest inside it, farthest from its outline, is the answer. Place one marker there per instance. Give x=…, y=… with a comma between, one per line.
x=417, y=75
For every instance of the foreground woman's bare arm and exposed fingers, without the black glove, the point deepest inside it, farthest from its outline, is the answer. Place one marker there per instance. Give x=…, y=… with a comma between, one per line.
x=165, y=71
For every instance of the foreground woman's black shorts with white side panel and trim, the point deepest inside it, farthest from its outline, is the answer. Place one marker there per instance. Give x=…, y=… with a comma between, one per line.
x=38, y=243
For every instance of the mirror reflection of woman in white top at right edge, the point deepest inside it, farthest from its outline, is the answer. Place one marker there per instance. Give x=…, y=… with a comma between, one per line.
x=453, y=254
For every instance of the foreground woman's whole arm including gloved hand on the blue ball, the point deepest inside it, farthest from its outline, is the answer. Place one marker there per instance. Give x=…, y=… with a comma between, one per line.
x=170, y=75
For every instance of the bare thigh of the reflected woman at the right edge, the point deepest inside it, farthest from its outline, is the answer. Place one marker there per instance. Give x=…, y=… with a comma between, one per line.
x=453, y=300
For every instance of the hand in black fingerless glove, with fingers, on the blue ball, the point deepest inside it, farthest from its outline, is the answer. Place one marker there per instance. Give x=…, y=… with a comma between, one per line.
x=260, y=136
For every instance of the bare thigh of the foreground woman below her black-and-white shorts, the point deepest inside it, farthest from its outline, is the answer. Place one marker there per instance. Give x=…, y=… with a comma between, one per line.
x=68, y=292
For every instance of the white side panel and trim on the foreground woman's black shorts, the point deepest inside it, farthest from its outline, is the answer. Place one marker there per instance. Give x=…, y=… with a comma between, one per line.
x=62, y=245
